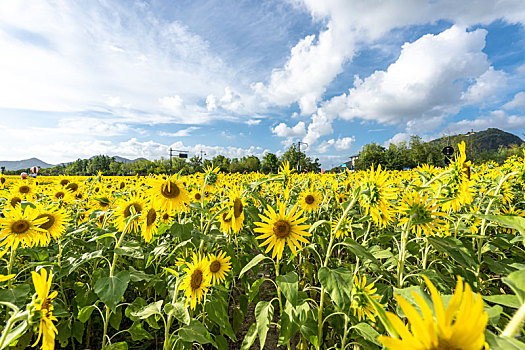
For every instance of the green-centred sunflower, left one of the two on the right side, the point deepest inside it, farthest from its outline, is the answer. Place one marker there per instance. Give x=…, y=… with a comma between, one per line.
x=376, y=191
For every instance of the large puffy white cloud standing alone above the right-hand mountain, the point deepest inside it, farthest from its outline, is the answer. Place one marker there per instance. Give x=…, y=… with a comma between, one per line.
x=427, y=80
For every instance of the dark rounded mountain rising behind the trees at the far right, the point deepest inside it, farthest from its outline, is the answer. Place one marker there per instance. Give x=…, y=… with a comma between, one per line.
x=486, y=140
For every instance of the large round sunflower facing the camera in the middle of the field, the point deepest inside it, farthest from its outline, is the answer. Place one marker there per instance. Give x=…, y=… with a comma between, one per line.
x=281, y=228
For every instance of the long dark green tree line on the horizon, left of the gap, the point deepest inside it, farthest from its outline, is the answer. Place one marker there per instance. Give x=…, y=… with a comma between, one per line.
x=269, y=163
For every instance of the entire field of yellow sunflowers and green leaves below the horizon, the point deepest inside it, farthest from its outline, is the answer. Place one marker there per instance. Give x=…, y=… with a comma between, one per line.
x=419, y=259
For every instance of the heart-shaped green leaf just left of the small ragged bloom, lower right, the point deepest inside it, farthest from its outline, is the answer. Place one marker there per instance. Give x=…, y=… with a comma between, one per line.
x=338, y=283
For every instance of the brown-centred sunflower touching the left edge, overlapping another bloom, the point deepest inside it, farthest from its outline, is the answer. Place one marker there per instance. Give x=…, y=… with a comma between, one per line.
x=21, y=227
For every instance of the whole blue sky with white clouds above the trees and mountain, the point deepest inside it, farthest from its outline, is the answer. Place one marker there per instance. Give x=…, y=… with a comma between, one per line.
x=241, y=77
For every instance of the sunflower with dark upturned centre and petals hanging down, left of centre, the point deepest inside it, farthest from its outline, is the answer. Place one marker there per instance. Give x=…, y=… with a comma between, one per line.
x=168, y=195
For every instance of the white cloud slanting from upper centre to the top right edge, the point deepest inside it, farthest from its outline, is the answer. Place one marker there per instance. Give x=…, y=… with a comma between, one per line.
x=317, y=59
